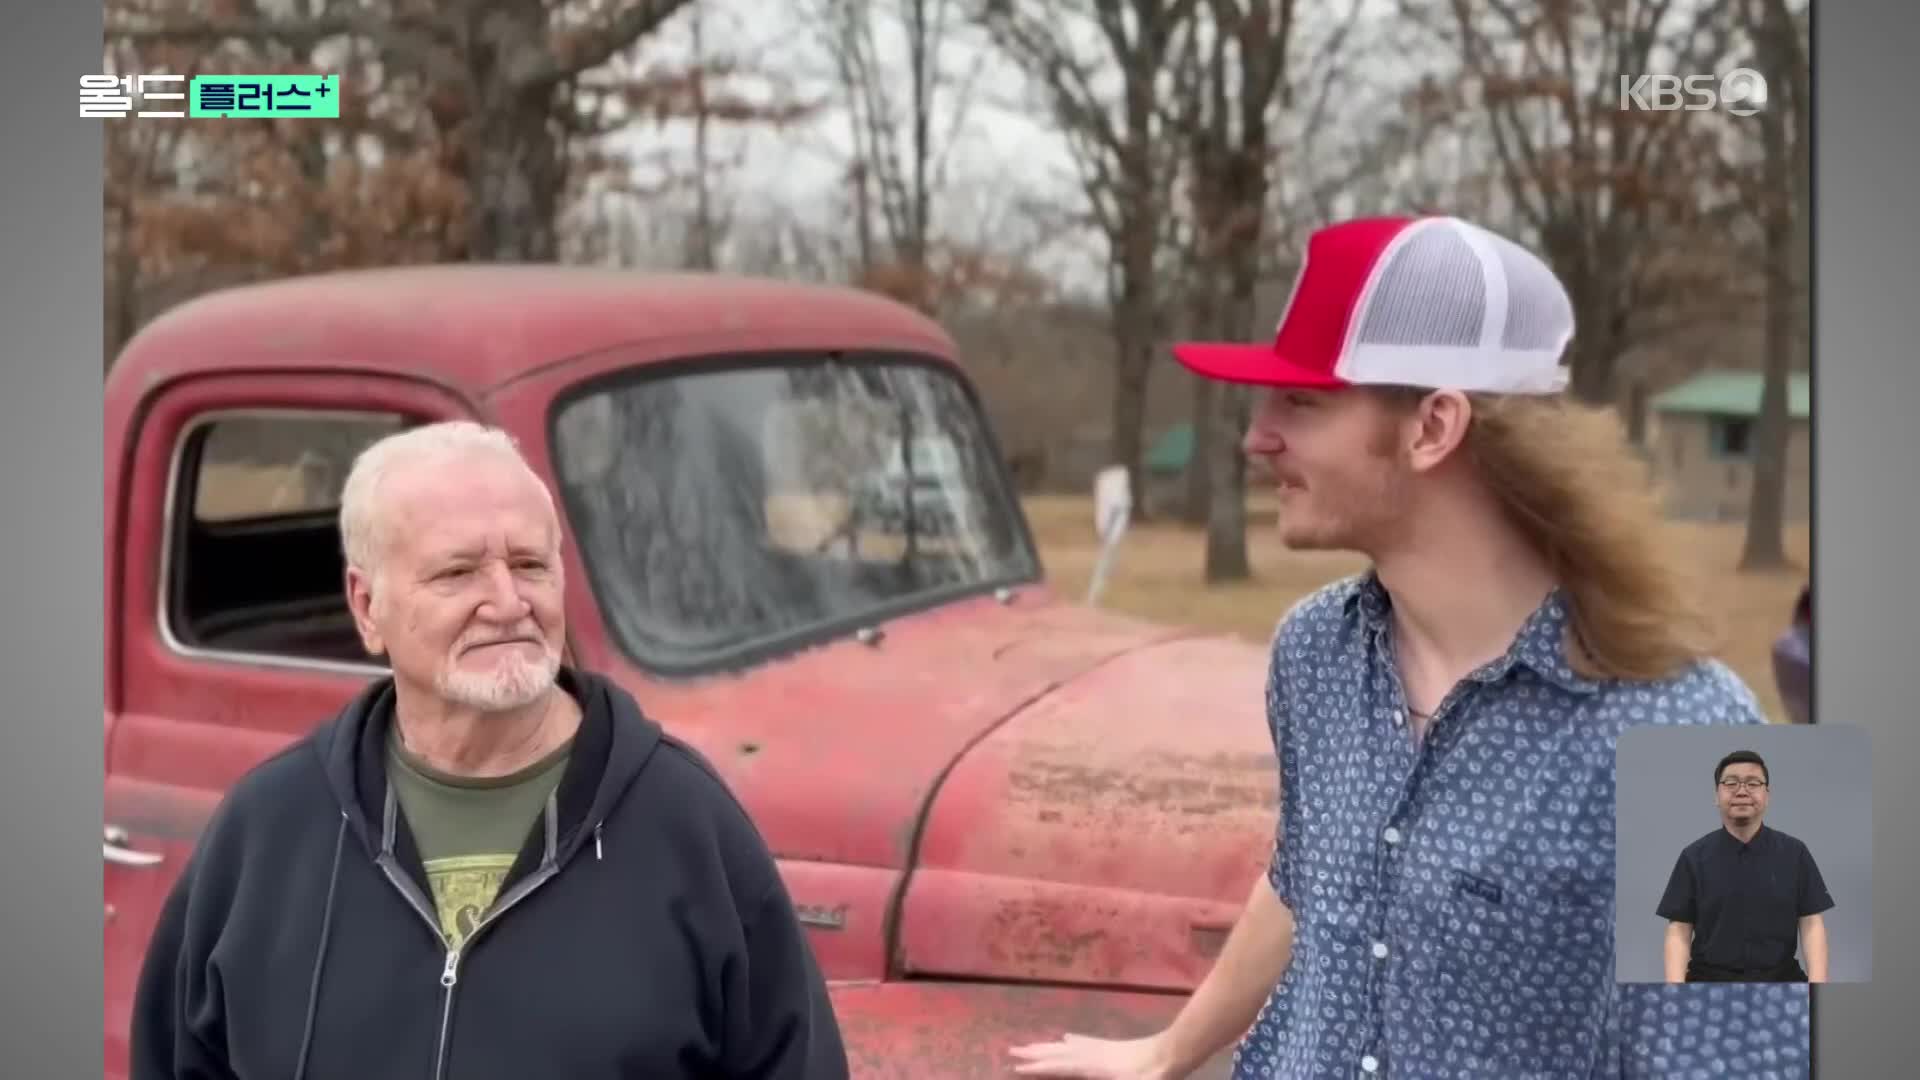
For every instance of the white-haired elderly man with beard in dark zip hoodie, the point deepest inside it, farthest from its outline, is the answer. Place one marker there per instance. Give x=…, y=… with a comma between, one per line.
x=489, y=866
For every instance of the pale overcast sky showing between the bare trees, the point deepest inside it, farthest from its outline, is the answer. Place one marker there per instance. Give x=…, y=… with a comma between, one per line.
x=1005, y=149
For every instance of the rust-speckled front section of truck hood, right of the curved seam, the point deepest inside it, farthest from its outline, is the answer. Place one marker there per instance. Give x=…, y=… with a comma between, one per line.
x=1109, y=833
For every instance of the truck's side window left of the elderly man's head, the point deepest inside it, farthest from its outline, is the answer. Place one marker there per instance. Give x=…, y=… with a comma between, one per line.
x=254, y=560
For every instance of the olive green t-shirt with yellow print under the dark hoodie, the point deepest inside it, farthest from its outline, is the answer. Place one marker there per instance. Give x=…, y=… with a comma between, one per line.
x=469, y=829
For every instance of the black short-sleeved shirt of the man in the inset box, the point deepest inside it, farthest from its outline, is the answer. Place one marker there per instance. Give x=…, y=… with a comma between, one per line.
x=1744, y=900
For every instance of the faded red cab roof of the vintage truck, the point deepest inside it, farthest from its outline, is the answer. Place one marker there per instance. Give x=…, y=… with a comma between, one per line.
x=477, y=328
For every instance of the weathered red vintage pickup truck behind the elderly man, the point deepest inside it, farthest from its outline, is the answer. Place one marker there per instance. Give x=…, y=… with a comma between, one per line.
x=1003, y=816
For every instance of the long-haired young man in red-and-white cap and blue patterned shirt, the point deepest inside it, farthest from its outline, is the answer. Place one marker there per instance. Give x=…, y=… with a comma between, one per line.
x=1441, y=896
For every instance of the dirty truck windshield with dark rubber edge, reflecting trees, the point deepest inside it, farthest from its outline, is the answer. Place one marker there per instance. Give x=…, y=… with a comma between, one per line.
x=729, y=514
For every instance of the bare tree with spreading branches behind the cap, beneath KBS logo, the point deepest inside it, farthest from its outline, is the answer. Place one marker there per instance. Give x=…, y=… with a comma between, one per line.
x=1620, y=199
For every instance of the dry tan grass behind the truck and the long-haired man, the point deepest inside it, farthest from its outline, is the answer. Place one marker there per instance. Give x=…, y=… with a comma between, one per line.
x=1157, y=576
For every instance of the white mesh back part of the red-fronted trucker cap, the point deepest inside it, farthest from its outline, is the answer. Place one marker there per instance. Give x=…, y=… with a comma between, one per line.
x=1456, y=307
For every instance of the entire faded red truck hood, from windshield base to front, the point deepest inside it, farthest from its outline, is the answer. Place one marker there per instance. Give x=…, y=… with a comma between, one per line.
x=1055, y=783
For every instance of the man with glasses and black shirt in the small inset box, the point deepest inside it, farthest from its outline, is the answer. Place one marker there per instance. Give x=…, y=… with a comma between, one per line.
x=1746, y=895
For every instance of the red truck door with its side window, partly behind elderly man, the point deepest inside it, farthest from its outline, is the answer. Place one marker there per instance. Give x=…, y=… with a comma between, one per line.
x=235, y=637
